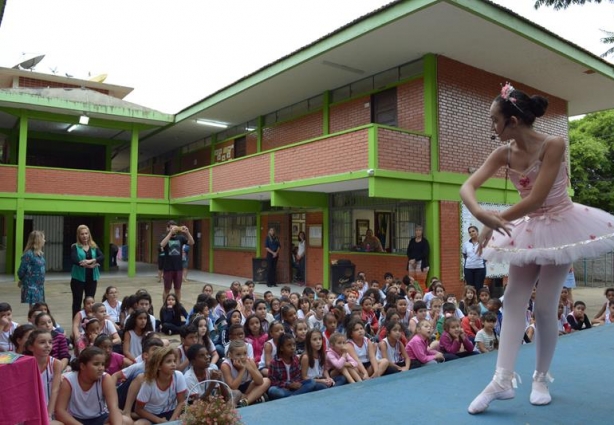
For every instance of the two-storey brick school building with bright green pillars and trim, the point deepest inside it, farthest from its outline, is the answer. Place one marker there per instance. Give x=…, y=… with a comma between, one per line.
x=375, y=125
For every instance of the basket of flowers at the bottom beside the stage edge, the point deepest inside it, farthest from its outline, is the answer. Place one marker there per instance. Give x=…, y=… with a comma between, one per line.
x=212, y=411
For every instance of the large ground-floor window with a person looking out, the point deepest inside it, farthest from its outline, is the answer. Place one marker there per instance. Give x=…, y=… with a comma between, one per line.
x=392, y=221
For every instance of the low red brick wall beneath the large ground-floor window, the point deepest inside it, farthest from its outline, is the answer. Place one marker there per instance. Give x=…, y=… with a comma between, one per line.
x=374, y=265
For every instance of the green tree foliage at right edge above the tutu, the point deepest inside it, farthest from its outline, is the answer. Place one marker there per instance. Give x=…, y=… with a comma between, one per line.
x=591, y=151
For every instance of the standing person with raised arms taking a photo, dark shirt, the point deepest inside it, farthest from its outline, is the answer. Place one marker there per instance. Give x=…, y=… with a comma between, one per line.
x=172, y=245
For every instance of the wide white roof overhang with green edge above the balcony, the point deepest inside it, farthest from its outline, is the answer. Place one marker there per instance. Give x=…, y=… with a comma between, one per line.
x=478, y=33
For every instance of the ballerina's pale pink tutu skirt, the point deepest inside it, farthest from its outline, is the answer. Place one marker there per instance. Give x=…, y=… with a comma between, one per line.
x=554, y=237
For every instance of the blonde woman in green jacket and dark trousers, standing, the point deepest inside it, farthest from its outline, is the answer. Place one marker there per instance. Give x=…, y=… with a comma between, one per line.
x=86, y=259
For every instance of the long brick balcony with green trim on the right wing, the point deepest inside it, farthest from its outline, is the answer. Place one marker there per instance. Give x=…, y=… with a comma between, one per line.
x=346, y=155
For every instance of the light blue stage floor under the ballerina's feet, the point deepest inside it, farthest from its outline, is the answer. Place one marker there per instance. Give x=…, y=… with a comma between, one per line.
x=582, y=370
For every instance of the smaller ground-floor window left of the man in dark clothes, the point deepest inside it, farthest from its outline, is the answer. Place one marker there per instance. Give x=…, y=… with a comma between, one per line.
x=235, y=231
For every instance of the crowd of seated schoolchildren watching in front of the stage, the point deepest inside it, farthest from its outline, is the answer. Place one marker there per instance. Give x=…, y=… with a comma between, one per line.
x=262, y=348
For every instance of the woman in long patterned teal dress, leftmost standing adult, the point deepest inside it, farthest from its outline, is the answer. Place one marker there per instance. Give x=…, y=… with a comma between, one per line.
x=31, y=271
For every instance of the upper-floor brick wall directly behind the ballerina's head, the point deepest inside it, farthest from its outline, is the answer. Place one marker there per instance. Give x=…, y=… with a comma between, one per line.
x=465, y=94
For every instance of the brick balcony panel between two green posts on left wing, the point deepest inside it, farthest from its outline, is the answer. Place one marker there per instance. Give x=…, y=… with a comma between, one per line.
x=71, y=182
